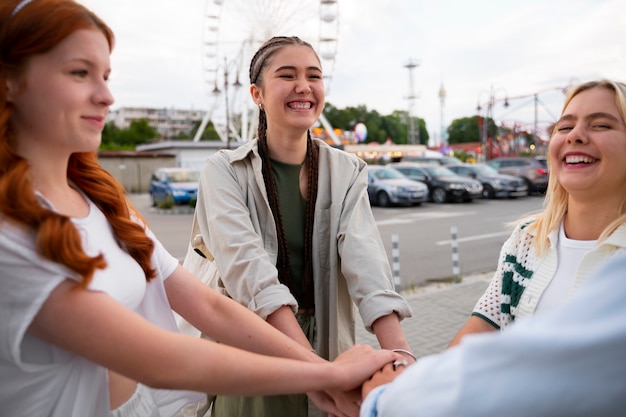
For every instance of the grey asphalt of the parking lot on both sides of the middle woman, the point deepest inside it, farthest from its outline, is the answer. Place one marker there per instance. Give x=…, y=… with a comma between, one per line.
x=423, y=233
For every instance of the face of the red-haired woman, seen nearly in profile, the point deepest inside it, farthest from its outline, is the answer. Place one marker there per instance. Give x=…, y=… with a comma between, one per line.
x=61, y=99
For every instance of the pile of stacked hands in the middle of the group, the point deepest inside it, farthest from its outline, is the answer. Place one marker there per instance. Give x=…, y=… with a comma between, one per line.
x=362, y=368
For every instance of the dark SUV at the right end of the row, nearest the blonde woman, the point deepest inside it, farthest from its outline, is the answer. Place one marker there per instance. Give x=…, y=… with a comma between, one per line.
x=533, y=171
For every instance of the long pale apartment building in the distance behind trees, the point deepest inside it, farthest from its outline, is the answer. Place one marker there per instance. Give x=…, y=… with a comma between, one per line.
x=168, y=122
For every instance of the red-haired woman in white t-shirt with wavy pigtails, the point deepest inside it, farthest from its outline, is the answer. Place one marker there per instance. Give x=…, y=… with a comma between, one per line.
x=86, y=290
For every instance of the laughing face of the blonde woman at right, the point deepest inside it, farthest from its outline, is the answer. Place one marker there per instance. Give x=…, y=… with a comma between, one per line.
x=588, y=150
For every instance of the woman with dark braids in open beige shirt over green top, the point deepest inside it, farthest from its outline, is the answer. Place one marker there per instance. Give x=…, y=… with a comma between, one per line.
x=283, y=225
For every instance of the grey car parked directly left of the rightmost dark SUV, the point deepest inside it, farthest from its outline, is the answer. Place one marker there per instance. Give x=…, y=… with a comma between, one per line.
x=494, y=183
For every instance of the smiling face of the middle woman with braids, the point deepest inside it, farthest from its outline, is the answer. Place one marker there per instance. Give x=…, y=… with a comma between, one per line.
x=292, y=90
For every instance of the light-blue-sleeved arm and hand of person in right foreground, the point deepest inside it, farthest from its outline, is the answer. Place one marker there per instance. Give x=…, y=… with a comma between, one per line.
x=568, y=362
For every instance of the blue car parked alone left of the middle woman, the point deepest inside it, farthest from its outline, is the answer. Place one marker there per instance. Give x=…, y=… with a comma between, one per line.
x=179, y=185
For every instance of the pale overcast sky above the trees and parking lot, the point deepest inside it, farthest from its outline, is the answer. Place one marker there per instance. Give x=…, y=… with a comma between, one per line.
x=477, y=50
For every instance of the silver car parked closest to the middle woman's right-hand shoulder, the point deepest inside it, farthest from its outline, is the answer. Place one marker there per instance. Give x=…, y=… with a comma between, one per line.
x=386, y=186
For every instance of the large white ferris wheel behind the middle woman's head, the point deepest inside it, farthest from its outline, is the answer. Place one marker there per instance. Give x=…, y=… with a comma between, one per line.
x=233, y=31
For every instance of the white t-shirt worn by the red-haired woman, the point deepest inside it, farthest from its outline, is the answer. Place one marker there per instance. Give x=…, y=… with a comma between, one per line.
x=40, y=379
